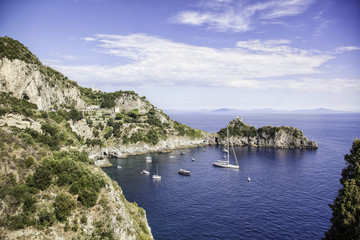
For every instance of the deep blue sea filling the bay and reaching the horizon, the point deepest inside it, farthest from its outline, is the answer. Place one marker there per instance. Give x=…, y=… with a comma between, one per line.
x=287, y=197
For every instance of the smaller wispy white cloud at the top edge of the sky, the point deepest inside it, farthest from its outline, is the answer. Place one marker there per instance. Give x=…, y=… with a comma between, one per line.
x=236, y=16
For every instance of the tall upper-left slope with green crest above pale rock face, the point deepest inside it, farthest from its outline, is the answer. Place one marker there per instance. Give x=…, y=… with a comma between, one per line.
x=22, y=74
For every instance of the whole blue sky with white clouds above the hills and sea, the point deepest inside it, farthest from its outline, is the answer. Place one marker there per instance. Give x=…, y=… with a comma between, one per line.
x=196, y=54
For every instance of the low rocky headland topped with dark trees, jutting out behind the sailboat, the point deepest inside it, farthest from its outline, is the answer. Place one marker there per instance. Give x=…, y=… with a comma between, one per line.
x=242, y=134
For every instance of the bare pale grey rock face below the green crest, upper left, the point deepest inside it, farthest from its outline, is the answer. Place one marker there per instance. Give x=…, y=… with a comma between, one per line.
x=38, y=84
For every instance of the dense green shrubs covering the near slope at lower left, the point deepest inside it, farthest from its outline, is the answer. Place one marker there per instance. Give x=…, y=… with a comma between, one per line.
x=38, y=173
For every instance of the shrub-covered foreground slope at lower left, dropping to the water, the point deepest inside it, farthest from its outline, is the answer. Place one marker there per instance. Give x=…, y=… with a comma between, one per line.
x=60, y=195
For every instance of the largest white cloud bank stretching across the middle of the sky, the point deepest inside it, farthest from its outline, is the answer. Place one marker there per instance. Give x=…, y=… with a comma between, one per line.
x=158, y=61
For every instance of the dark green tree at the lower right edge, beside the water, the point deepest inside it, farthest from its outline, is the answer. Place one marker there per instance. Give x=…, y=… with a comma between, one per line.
x=346, y=207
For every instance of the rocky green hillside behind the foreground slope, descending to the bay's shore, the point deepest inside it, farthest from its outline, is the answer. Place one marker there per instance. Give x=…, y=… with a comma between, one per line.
x=106, y=122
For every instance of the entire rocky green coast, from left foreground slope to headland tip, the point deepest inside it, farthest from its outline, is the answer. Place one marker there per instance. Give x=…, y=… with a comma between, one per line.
x=54, y=134
